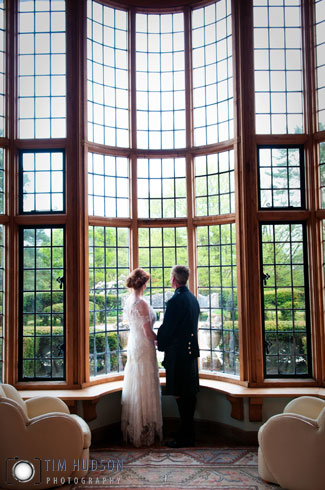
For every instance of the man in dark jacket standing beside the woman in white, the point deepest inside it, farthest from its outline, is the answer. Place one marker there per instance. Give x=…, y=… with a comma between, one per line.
x=177, y=337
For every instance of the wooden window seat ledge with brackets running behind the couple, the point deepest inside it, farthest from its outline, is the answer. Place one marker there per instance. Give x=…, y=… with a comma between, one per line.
x=235, y=395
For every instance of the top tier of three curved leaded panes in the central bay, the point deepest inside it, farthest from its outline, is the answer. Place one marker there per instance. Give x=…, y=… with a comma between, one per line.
x=170, y=98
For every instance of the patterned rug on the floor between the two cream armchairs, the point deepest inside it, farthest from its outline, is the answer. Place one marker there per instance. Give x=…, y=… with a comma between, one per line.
x=174, y=469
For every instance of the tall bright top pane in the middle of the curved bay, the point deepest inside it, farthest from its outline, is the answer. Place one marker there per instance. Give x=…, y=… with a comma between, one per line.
x=160, y=78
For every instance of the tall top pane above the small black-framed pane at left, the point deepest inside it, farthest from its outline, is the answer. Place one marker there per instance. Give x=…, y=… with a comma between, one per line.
x=41, y=69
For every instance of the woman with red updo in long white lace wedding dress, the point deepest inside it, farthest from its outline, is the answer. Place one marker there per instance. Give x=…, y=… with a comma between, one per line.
x=141, y=420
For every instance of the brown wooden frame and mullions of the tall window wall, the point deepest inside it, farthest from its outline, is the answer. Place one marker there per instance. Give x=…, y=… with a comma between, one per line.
x=247, y=216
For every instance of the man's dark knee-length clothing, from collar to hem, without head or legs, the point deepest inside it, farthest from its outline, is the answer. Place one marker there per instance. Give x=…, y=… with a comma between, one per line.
x=177, y=337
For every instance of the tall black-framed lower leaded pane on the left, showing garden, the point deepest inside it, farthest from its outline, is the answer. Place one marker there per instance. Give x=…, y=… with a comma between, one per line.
x=42, y=304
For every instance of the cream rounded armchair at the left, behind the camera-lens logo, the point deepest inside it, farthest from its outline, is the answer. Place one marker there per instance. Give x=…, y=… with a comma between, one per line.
x=41, y=431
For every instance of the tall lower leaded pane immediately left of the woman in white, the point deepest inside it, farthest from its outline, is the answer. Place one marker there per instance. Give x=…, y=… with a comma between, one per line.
x=109, y=265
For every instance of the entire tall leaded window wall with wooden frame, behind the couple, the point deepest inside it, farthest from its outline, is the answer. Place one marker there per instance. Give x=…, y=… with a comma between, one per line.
x=152, y=136
